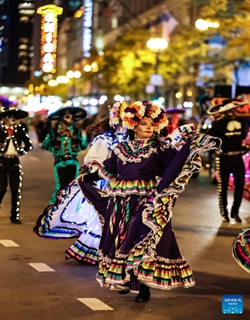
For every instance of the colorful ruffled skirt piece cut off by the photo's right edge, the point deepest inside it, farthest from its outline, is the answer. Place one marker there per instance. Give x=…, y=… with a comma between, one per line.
x=241, y=249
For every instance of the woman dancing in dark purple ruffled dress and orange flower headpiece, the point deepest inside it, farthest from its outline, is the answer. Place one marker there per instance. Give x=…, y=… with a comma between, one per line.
x=138, y=248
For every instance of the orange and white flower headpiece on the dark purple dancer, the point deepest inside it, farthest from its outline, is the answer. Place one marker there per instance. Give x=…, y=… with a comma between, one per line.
x=132, y=114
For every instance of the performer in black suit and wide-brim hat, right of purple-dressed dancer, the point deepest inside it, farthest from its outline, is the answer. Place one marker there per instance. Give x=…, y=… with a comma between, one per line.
x=232, y=130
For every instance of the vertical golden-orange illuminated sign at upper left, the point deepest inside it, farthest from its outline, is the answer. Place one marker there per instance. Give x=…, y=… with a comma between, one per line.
x=49, y=37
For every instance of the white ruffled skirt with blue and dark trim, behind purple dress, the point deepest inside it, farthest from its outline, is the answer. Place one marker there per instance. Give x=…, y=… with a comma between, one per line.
x=72, y=216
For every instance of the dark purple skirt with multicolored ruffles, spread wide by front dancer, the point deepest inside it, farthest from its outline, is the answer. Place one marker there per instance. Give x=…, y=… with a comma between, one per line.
x=138, y=243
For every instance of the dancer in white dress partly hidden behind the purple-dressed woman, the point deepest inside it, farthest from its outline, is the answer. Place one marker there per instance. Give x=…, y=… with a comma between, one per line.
x=71, y=215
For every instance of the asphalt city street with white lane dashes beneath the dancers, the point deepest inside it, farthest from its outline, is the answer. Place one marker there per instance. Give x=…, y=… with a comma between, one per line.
x=53, y=292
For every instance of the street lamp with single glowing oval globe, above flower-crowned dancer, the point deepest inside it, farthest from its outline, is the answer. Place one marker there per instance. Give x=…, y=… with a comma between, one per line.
x=157, y=45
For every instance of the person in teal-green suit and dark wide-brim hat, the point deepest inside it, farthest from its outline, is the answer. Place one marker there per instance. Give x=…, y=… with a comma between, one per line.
x=65, y=141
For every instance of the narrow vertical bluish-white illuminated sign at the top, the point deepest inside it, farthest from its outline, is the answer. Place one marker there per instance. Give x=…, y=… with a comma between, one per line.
x=87, y=27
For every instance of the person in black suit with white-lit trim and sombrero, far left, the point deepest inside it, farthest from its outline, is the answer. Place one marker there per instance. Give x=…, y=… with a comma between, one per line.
x=14, y=142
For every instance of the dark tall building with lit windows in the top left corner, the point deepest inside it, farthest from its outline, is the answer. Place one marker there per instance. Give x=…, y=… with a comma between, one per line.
x=16, y=47
